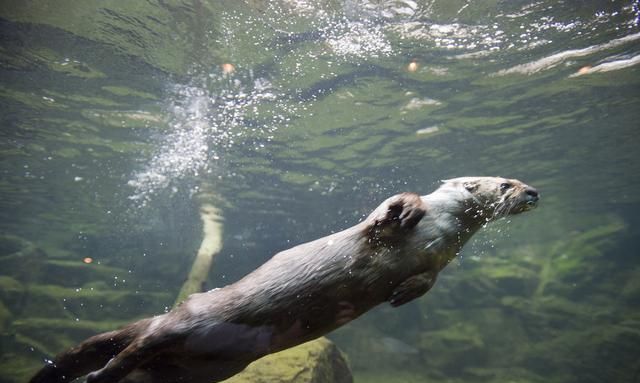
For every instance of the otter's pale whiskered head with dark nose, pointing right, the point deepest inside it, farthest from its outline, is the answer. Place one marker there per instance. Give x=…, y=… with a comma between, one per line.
x=495, y=197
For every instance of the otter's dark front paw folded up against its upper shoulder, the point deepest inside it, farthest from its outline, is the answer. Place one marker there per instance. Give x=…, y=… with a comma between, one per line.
x=396, y=215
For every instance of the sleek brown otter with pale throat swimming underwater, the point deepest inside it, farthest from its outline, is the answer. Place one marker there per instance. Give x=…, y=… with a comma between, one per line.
x=393, y=256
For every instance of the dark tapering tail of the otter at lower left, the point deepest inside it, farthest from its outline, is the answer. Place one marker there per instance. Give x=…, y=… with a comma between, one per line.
x=90, y=355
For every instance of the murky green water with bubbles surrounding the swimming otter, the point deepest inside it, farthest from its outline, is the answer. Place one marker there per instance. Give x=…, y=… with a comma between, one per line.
x=116, y=115
